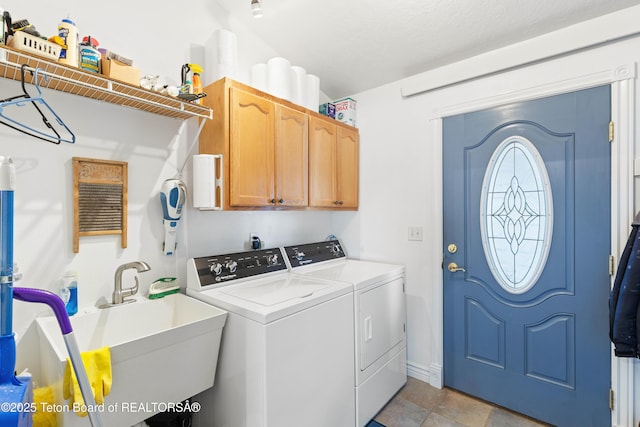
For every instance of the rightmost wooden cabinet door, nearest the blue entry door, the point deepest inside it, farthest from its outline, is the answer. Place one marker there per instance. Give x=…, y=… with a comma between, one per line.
x=347, y=167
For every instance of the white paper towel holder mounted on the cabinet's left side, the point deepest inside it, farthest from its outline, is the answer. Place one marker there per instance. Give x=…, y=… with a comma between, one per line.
x=207, y=182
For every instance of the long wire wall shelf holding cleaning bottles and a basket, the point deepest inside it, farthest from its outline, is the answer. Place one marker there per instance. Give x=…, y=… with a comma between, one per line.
x=96, y=86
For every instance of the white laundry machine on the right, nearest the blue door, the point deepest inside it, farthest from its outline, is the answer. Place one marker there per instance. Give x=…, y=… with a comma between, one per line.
x=379, y=318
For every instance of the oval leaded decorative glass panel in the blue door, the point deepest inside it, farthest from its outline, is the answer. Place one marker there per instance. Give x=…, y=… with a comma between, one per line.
x=516, y=214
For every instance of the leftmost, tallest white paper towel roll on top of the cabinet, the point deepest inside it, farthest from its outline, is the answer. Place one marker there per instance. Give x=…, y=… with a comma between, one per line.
x=221, y=56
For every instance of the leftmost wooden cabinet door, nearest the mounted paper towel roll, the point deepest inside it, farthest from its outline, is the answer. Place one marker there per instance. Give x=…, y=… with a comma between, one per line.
x=251, y=150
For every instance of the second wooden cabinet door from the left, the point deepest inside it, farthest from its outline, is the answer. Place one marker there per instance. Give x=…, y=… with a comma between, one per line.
x=291, y=157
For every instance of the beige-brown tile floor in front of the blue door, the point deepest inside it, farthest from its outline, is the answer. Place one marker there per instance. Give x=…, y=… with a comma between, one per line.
x=418, y=404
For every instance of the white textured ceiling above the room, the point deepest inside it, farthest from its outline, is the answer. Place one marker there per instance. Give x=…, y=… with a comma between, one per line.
x=355, y=45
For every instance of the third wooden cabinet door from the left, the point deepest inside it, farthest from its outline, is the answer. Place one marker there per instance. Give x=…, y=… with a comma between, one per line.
x=322, y=163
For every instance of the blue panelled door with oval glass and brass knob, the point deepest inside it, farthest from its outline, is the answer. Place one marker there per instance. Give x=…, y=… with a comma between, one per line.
x=526, y=249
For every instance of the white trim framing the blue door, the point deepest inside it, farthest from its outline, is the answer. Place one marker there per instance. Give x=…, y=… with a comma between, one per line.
x=623, y=207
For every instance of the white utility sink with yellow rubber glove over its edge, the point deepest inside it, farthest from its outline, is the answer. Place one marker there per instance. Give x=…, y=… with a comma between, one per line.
x=163, y=351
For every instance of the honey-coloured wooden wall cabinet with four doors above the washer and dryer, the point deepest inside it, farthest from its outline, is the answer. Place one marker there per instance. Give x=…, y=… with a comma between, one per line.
x=265, y=144
